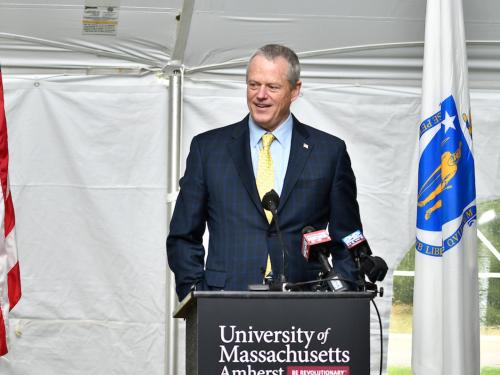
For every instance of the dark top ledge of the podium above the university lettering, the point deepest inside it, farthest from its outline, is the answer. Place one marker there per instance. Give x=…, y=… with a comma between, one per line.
x=190, y=300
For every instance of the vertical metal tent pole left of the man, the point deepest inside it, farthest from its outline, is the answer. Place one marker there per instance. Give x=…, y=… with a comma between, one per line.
x=173, y=175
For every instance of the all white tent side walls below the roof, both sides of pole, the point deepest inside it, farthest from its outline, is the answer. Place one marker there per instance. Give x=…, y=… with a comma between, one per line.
x=88, y=179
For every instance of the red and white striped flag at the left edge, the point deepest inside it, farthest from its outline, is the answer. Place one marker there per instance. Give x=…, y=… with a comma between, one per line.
x=10, y=281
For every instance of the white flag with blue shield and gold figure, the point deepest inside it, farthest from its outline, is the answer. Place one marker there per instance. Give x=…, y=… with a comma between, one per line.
x=446, y=298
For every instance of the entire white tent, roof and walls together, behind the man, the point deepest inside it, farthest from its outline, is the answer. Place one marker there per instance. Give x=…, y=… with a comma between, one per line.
x=90, y=120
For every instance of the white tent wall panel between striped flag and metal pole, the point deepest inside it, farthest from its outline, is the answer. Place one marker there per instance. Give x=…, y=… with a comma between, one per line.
x=88, y=179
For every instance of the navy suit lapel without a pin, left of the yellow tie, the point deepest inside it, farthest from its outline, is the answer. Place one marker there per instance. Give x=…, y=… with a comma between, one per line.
x=243, y=161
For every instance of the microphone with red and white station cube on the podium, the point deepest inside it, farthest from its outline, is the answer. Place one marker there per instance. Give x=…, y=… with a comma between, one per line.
x=316, y=247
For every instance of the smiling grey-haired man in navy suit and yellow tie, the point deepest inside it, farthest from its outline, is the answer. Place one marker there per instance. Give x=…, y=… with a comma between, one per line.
x=221, y=189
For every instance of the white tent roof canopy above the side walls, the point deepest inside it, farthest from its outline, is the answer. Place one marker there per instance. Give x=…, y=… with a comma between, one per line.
x=375, y=39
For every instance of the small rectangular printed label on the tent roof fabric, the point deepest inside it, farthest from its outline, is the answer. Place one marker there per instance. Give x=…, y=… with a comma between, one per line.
x=100, y=17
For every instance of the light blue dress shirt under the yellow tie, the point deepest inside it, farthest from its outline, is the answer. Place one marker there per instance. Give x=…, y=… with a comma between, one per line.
x=280, y=149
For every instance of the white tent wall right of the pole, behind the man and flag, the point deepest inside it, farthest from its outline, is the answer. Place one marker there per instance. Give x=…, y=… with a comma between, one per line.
x=380, y=127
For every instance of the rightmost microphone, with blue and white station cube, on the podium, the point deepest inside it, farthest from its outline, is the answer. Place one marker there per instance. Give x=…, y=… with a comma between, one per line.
x=374, y=267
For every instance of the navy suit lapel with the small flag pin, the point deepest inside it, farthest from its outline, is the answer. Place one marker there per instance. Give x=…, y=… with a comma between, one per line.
x=299, y=153
